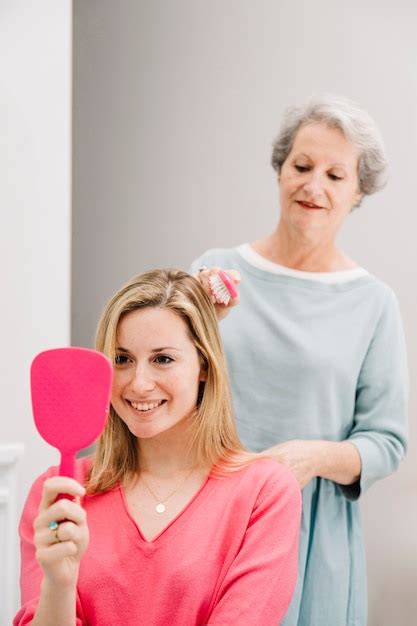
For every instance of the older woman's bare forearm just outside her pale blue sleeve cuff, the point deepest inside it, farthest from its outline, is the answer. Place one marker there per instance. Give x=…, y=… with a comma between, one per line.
x=338, y=461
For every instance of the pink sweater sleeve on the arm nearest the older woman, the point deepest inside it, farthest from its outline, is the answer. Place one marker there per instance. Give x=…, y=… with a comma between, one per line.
x=259, y=584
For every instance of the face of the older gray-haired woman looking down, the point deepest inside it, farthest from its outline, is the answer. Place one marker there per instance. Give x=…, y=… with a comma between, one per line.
x=319, y=182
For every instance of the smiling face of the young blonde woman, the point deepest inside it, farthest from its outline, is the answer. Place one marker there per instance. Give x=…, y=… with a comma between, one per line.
x=157, y=372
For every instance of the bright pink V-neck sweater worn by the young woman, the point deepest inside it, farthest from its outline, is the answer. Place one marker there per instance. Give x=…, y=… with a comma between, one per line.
x=229, y=558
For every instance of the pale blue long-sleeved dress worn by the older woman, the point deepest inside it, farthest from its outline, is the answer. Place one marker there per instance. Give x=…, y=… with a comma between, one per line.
x=319, y=357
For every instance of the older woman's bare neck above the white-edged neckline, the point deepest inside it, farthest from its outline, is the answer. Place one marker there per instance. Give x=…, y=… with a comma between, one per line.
x=303, y=251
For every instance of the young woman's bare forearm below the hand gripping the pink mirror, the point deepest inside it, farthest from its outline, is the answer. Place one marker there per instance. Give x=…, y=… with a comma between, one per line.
x=57, y=605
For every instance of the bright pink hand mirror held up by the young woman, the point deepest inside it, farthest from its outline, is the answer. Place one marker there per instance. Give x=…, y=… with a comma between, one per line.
x=71, y=390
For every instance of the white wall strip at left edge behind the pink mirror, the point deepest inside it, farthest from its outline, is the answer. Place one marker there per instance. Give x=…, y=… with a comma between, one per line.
x=35, y=140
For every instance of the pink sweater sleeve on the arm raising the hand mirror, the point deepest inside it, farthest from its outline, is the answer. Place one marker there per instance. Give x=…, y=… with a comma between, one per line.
x=31, y=574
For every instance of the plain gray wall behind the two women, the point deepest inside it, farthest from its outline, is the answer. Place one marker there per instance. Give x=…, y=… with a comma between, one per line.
x=175, y=106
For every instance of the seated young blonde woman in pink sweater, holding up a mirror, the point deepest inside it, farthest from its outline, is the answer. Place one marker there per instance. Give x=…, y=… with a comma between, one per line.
x=172, y=522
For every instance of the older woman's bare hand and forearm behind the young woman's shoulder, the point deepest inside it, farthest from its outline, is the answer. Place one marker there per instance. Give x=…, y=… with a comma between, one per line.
x=338, y=461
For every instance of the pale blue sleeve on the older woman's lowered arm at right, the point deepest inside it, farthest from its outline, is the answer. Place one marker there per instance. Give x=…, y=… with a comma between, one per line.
x=380, y=424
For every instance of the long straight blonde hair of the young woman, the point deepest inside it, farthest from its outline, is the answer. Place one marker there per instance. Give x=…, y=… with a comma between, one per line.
x=213, y=439
